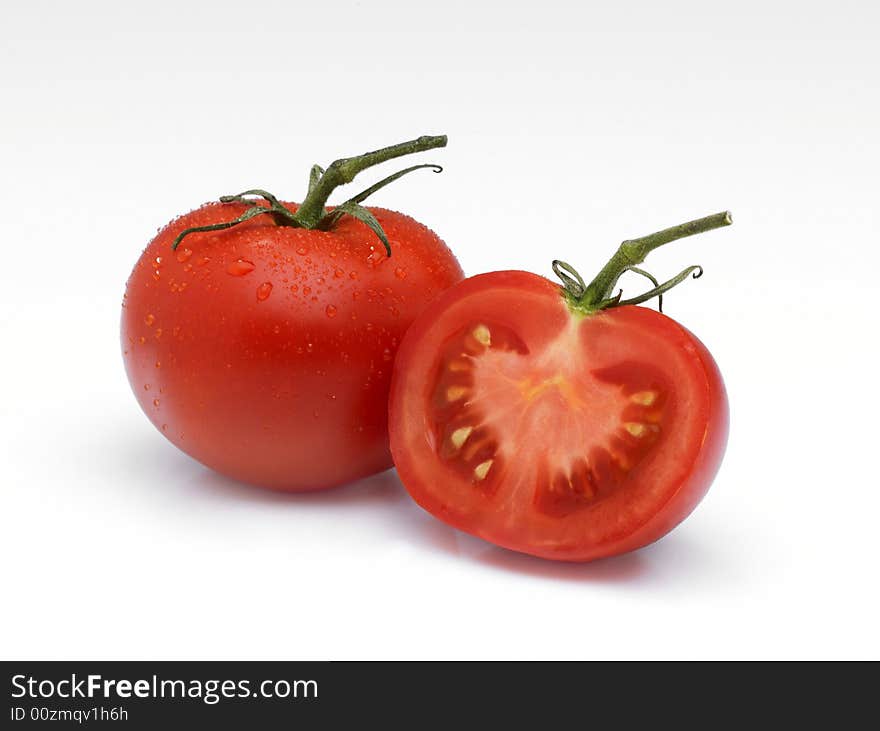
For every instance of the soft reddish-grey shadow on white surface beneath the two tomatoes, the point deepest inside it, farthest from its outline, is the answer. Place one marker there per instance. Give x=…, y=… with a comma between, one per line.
x=387, y=509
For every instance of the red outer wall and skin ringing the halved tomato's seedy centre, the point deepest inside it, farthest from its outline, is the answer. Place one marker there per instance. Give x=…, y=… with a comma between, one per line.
x=540, y=317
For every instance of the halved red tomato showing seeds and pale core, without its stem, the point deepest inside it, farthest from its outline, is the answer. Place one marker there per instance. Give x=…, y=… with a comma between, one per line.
x=549, y=432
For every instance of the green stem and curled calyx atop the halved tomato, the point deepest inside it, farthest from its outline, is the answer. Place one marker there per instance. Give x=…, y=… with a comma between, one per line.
x=587, y=299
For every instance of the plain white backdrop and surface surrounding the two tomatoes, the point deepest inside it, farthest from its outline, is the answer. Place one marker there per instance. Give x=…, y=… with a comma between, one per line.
x=571, y=126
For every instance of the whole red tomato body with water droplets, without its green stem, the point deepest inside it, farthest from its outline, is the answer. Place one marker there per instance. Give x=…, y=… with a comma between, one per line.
x=265, y=351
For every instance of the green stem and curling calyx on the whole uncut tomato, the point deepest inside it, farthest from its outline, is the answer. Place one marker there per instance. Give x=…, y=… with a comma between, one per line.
x=312, y=213
